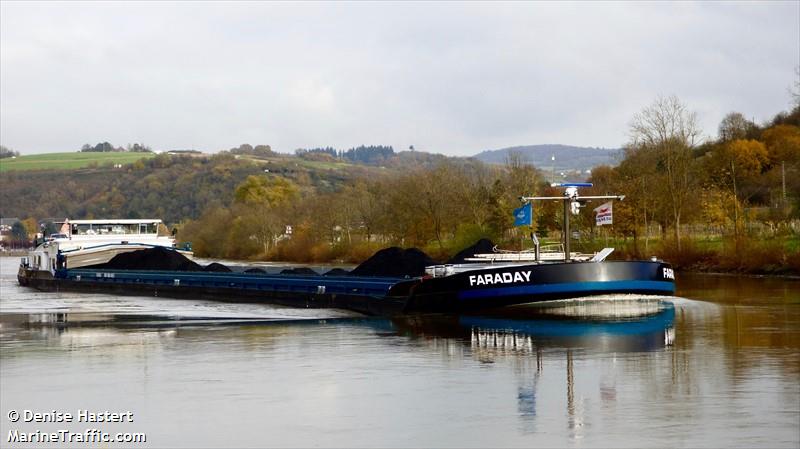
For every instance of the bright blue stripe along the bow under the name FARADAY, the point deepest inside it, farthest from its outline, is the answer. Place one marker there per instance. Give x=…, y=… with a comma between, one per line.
x=571, y=287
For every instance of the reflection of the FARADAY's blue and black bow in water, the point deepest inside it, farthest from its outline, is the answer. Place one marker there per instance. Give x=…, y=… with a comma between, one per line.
x=558, y=331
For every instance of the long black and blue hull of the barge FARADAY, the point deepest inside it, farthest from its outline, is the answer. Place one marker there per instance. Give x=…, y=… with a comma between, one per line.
x=384, y=296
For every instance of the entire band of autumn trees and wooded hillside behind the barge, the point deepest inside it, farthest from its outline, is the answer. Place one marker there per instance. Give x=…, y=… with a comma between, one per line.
x=724, y=204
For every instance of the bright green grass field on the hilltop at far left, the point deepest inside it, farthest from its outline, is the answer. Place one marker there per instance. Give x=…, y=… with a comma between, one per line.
x=68, y=161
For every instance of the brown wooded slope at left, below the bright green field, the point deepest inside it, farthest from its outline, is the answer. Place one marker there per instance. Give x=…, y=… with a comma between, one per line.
x=171, y=187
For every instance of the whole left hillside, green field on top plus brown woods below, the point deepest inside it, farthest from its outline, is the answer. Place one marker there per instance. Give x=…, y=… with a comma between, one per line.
x=174, y=187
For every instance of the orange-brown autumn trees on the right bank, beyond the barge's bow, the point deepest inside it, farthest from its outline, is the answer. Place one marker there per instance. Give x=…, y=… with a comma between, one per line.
x=729, y=202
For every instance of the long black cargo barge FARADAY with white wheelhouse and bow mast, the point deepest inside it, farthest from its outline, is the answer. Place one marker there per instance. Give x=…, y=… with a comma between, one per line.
x=69, y=262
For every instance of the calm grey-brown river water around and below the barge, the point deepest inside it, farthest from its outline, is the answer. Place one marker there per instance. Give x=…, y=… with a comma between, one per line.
x=718, y=366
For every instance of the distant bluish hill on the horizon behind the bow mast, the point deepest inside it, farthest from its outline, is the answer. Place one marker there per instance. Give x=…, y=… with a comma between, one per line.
x=567, y=157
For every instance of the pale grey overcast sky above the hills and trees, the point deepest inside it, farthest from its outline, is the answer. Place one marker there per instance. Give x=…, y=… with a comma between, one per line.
x=453, y=78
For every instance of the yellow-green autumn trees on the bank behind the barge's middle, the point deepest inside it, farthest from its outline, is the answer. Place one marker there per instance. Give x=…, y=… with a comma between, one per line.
x=439, y=208
